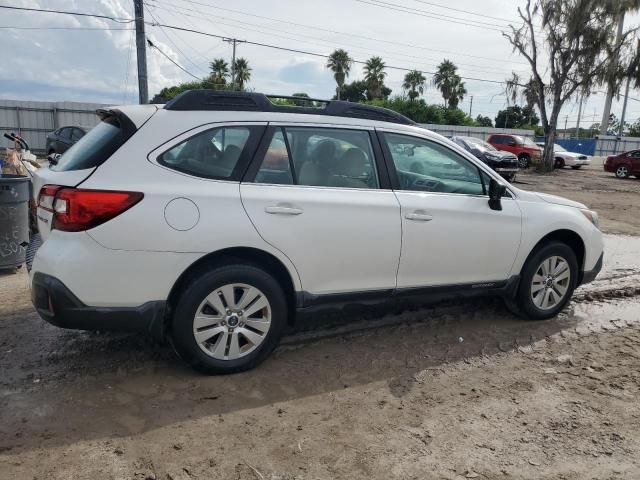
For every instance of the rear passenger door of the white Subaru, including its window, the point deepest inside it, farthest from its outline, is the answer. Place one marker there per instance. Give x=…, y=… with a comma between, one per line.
x=316, y=194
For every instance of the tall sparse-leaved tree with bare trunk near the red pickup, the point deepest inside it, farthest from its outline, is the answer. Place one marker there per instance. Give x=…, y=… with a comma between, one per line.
x=572, y=55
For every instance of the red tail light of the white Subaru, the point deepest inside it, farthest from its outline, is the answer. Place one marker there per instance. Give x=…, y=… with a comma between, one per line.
x=76, y=210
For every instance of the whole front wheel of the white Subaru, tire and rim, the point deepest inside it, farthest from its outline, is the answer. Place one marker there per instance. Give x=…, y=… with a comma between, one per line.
x=548, y=280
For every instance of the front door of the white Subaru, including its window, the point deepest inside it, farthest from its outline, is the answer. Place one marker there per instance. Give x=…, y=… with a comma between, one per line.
x=450, y=236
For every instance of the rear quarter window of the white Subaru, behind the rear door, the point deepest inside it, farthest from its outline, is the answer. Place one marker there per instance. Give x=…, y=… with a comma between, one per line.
x=210, y=154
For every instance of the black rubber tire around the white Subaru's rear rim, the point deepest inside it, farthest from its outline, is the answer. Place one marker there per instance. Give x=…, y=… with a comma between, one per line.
x=198, y=289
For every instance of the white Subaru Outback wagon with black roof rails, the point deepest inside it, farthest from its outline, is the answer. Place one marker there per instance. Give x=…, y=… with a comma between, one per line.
x=214, y=220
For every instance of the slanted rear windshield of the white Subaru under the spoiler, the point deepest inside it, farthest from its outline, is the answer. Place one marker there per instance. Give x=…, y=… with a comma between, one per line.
x=94, y=148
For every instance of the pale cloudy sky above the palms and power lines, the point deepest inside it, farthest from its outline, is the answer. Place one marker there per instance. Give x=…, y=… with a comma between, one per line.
x=69, y=58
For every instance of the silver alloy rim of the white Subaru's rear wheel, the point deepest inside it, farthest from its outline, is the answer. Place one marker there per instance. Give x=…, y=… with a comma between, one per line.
x=232, y=321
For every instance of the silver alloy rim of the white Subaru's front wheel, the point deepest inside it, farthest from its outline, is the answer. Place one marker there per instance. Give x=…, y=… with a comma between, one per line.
x=550, y=283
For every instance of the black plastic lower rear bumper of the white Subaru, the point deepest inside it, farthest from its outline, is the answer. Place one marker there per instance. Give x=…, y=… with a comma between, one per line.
x=56, y=304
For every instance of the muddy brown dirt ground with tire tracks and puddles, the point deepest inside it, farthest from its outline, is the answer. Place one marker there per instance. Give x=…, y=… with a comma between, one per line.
x=455, y=390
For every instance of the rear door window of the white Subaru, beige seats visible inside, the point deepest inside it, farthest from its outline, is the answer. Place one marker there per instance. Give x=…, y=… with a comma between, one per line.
x=321, y=157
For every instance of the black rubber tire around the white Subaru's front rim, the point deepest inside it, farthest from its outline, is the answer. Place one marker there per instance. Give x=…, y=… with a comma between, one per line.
x=524, y=301
